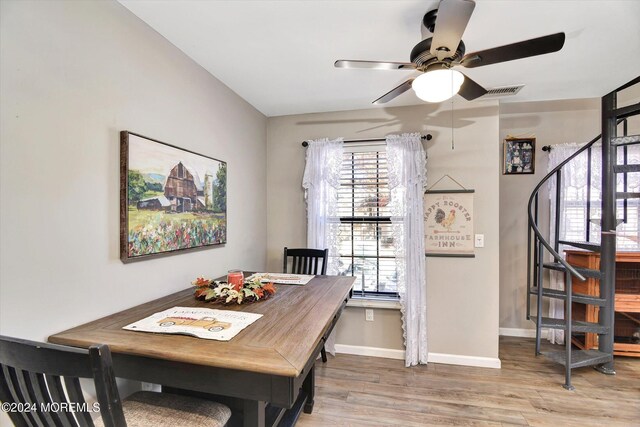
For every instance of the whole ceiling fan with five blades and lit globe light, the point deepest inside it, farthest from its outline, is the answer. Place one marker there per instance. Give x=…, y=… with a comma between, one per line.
x=436, y=56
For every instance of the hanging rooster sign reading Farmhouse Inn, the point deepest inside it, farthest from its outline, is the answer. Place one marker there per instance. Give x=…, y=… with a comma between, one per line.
x=448, y=223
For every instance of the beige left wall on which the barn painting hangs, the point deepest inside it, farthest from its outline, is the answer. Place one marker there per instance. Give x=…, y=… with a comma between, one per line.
x=73, y=75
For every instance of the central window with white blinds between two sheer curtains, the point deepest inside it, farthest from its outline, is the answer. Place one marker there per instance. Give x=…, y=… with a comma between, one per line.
x=365, y=238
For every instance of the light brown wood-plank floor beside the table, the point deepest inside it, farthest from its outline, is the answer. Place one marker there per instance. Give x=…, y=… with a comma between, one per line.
x=357, y=390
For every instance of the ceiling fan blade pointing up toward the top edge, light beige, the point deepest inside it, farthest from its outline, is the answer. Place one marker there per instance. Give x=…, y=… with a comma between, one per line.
x=451, y=21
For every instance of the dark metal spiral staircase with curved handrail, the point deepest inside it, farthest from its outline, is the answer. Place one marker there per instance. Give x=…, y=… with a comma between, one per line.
x=543, y=255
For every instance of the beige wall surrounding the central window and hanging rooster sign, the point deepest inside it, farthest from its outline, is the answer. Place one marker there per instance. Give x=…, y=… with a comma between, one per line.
x=462, y=294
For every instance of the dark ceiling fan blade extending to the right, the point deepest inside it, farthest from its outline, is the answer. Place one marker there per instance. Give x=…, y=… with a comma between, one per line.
x=524, y=49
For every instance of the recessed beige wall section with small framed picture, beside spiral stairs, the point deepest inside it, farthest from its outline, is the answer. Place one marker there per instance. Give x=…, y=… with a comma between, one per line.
x=551, y=122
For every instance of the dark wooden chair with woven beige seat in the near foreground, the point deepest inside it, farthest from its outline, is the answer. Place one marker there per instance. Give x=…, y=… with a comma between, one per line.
x=40, y=383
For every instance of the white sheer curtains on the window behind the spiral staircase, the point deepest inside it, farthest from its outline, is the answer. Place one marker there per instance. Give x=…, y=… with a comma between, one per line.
x=573, y=210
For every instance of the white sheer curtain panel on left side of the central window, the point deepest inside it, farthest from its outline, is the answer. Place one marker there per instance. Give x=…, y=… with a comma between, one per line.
x=320, y=182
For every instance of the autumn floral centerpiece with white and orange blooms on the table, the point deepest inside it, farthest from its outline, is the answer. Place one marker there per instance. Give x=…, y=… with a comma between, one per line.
x=227, y=293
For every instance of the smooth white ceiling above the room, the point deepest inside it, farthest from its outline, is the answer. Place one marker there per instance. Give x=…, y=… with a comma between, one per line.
x=279, y=55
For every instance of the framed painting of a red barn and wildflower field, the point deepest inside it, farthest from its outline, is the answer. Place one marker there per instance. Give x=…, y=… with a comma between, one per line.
x=171, y=199
